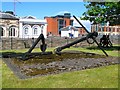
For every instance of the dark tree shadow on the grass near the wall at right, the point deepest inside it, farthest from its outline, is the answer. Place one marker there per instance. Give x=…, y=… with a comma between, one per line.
x=117, y=48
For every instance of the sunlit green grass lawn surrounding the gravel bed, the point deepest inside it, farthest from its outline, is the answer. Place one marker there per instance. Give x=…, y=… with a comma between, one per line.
x=102, y=77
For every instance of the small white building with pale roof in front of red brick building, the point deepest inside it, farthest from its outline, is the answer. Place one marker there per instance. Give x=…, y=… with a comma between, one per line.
x=66, y=31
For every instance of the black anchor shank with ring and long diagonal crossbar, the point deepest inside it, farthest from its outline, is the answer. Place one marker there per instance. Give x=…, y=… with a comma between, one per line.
x=92, y=36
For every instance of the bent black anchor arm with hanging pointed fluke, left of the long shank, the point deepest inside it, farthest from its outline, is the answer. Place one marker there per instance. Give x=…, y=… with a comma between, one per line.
x=43, y=47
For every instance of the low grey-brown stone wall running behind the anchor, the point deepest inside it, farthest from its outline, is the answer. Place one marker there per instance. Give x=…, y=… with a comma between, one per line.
x=17, y=43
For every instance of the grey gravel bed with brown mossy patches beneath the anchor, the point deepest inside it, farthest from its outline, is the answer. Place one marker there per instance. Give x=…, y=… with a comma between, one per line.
x=53, y=64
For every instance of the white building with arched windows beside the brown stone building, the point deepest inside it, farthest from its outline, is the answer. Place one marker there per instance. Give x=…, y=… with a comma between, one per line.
x=30, y=27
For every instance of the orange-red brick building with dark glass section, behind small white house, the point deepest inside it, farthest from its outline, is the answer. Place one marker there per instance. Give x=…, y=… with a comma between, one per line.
x=55, y=23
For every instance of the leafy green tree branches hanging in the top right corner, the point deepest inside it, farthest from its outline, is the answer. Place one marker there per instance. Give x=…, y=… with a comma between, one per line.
x=102, y=12
